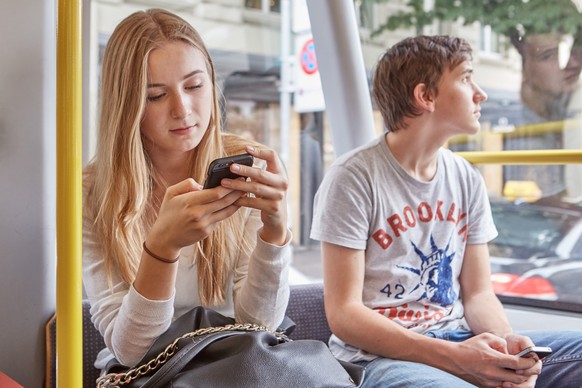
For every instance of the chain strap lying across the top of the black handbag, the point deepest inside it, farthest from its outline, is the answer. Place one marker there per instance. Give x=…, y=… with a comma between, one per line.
x=112, y=380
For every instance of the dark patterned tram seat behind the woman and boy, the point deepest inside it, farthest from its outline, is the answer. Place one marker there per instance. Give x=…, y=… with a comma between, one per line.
x=305, y=309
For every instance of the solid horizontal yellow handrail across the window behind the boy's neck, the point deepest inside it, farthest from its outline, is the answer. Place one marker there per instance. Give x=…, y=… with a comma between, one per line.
x=524, y=157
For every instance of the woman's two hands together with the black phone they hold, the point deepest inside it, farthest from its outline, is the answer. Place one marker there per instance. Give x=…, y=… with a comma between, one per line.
x=190, y=212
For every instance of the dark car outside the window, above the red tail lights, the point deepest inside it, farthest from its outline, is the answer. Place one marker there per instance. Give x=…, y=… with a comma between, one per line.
x=534, y=235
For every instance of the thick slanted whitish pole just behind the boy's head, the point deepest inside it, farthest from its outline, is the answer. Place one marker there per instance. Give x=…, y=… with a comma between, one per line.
x=343, y=74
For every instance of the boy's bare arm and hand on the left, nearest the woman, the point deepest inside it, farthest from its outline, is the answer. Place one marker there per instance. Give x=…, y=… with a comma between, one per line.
x=474, y=360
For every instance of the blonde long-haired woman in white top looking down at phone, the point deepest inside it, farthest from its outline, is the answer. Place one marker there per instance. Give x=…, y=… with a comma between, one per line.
x=155, y=244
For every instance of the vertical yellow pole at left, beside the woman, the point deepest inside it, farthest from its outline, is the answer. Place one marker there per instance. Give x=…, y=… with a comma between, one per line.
x=69, y=189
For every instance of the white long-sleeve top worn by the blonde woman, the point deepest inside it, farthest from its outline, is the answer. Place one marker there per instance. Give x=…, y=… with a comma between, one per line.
x=258, y=293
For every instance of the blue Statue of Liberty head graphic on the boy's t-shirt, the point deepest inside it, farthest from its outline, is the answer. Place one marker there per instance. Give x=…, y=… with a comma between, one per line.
x=436, y=274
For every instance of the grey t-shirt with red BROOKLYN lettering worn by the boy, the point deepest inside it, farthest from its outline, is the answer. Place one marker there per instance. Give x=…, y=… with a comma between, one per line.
x=413, y=233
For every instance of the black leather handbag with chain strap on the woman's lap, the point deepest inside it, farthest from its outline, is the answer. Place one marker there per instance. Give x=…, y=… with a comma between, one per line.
x=203, y=348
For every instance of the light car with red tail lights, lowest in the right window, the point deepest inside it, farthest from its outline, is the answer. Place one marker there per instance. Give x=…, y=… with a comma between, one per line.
x=559, y=282
